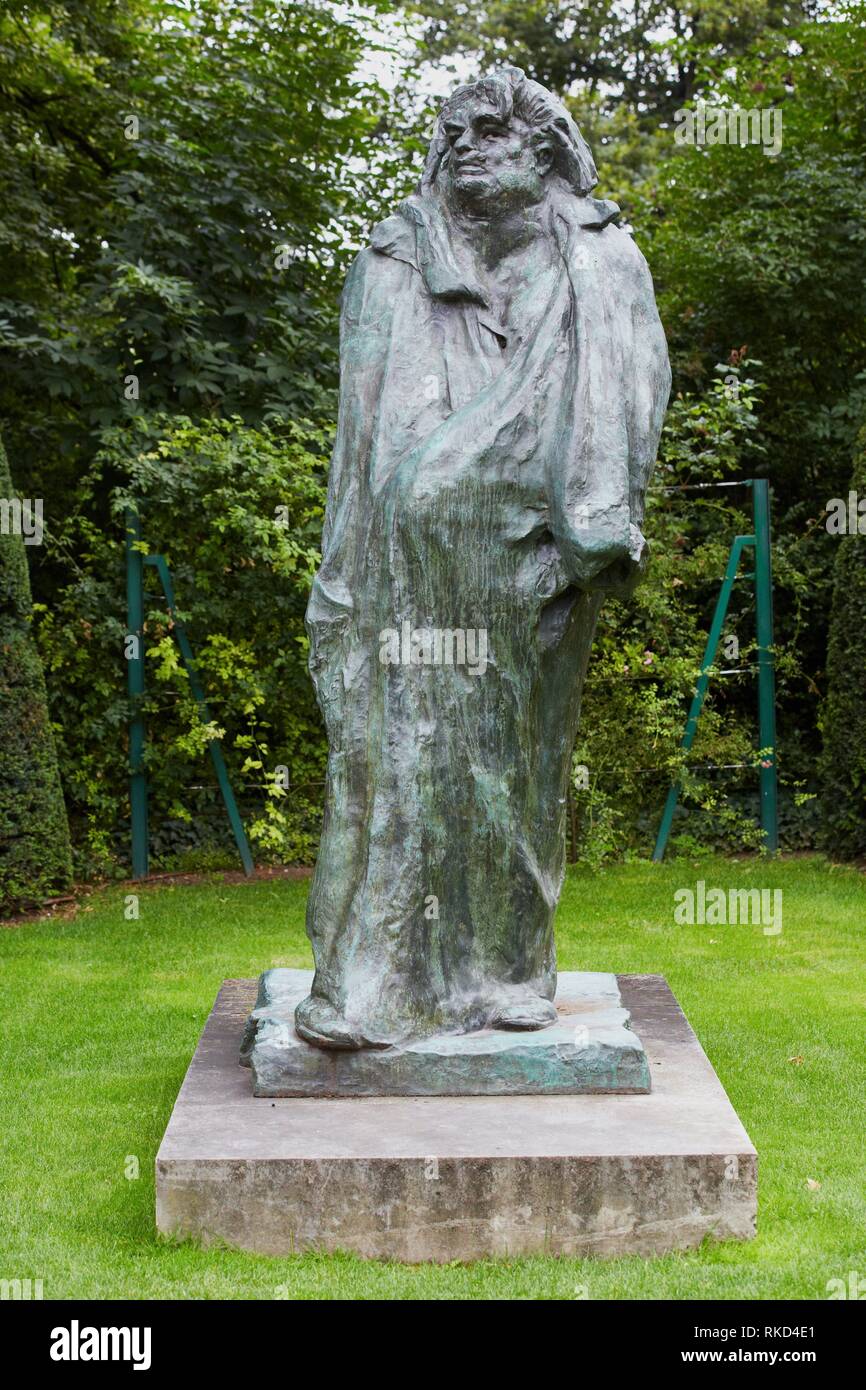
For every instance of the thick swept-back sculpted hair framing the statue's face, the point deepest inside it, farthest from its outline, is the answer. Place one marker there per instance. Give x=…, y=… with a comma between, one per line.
x=512, y=94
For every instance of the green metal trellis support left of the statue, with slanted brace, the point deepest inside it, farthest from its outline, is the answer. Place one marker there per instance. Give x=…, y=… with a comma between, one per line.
x=136, y=683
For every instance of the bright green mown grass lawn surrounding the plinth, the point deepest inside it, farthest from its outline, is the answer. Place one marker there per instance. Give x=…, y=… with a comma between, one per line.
x=101, y=1018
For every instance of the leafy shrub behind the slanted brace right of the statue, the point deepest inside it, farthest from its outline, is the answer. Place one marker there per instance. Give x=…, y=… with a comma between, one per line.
x=648, y=651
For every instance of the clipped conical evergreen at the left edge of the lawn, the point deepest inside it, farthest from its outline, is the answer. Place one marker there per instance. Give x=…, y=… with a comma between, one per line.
x=35, y=857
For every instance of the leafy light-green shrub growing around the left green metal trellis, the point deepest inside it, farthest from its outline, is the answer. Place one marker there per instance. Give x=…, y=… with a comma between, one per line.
x=237, y=512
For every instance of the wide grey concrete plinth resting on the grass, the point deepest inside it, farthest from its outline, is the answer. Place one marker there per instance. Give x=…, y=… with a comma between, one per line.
x=459, y=1178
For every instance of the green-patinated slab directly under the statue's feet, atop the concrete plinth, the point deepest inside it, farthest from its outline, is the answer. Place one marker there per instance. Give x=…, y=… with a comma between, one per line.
x=590, y=1050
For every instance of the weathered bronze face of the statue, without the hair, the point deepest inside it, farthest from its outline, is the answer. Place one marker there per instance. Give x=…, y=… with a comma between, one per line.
x=494, y=165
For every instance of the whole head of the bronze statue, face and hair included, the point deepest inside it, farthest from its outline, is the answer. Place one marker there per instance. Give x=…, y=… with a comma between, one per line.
x=500, y=141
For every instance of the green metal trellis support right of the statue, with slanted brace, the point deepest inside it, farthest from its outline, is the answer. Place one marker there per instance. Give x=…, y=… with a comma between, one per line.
x=760, y=541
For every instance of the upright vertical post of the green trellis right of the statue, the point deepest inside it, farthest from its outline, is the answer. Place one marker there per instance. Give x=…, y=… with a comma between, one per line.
x=767, y=667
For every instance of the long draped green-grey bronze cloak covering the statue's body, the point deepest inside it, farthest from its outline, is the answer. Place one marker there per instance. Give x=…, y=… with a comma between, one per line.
x=486, y=477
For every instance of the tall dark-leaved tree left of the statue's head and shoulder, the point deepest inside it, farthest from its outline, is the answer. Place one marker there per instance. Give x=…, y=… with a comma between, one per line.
x=183, y=190
